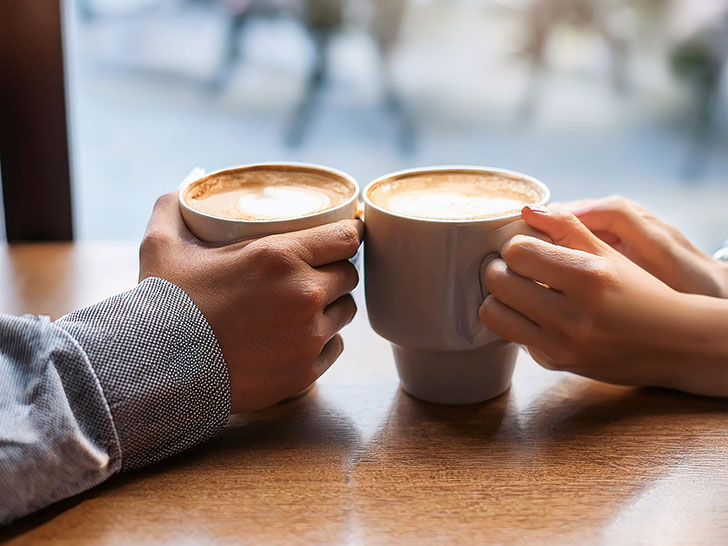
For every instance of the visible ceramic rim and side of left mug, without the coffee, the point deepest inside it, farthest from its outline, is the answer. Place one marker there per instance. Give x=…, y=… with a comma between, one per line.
x=213, y=229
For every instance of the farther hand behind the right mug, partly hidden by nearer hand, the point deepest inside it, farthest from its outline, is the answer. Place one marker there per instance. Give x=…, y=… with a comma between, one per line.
x=652, y=244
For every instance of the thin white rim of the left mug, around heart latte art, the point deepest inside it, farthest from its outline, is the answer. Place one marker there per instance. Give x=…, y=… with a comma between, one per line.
x=293, y=165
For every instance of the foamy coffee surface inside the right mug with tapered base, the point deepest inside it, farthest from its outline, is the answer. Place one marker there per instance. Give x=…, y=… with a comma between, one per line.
x=453, y=195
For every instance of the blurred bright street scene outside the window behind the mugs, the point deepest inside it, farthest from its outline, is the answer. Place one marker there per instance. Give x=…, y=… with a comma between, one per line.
x=594, y=97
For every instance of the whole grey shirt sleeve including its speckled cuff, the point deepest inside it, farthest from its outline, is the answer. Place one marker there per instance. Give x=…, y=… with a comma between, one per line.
x=123, y=383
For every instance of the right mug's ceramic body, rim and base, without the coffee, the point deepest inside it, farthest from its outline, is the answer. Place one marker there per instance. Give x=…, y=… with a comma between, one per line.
x=423, y=291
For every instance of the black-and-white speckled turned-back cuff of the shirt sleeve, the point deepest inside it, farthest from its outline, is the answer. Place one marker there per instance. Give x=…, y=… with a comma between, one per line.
x=160, y=367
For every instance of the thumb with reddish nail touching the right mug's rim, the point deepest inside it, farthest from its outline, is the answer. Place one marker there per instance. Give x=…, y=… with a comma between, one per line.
x=563, y=228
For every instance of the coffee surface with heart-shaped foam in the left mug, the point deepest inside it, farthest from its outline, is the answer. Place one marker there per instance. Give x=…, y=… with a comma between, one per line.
x=266, y=194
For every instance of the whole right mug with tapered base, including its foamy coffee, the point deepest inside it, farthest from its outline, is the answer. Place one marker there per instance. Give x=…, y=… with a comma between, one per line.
x=428, y=234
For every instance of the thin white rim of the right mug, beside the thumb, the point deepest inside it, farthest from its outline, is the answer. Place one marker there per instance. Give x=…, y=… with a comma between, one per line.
x=475, y=169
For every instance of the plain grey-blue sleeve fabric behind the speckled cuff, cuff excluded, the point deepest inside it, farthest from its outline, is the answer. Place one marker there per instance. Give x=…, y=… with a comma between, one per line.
x=57, y=436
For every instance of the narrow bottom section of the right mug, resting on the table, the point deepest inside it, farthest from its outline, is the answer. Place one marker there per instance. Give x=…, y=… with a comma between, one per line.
x=457, y=377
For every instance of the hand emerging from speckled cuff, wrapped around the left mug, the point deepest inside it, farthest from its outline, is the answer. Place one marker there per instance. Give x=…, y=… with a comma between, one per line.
x=276, y=304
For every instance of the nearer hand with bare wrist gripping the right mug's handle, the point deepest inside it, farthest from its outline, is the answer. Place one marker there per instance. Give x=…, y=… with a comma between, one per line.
x=581, y=306
